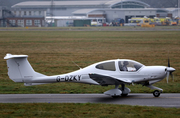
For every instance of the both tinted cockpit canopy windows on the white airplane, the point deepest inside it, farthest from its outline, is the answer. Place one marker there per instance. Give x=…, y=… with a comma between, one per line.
x=123, y=65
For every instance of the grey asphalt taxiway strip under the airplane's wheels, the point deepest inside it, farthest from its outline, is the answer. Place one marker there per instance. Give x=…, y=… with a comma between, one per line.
x=165, y=99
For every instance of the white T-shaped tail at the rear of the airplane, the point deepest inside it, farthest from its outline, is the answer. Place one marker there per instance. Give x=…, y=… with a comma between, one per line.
x=20, y=70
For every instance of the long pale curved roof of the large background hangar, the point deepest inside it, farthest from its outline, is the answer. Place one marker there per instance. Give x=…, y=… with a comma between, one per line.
x=102, y=3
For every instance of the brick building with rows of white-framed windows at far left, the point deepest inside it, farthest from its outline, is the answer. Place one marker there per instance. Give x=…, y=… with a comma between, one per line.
x=22, y=18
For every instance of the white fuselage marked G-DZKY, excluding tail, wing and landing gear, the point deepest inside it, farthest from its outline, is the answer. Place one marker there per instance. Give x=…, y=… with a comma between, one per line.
x=135, y=73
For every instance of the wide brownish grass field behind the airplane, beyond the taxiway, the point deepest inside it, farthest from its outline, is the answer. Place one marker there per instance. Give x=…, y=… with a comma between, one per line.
x=52, y=53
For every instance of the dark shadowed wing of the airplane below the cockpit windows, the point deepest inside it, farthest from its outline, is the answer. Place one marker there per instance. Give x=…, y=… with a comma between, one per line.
x=105, y=80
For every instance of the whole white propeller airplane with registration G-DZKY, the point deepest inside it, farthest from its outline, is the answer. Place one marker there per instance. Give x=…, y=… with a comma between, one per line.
x=112, y=72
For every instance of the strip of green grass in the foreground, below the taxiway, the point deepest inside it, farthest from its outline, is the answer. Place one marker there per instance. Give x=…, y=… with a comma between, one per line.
x=88, y=110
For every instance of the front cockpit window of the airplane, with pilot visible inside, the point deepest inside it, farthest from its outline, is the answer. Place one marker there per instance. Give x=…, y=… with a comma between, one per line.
x=129, y=66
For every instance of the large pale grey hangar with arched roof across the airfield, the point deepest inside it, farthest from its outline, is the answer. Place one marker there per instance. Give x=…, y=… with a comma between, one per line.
x=109, y=9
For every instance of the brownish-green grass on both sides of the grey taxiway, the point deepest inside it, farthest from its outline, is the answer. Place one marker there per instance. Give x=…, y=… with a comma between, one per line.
x=52, y=53
